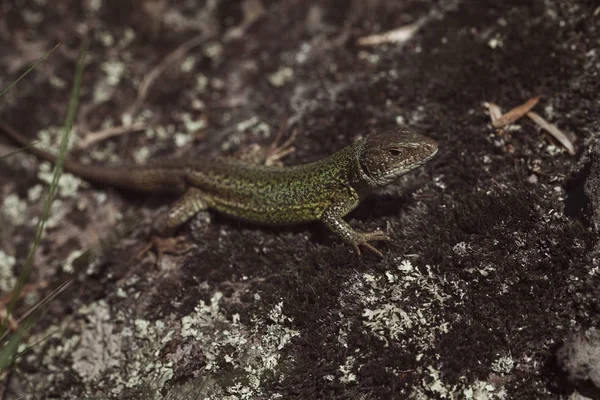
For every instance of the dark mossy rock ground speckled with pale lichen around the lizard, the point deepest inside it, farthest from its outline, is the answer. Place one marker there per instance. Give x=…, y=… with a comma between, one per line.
x=488, y=290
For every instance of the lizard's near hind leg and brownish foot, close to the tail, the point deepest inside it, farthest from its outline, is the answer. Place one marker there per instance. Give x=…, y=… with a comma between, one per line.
x=192, y=202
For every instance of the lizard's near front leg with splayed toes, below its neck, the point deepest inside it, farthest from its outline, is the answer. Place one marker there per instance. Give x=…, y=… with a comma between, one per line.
x=343, y=202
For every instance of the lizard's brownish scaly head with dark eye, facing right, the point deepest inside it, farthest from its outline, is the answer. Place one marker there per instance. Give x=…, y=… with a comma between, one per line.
x=387, y=155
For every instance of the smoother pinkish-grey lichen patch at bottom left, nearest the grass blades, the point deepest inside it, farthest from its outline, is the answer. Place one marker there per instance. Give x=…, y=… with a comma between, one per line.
x=109, y=351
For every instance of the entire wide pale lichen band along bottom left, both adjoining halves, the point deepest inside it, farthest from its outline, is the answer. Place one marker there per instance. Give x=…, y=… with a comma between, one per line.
x=110, y=351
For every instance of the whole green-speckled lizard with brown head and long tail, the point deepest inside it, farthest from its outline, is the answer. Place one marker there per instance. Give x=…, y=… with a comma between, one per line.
x=325, y=190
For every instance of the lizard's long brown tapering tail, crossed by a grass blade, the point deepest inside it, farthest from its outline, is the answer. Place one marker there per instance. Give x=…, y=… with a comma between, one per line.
x=129, y=178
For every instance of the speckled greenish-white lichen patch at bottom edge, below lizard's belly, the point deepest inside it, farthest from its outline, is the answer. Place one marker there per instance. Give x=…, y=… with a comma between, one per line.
x=238, y=357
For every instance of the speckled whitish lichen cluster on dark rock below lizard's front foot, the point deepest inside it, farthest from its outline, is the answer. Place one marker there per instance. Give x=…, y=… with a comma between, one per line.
x=396, y=304
